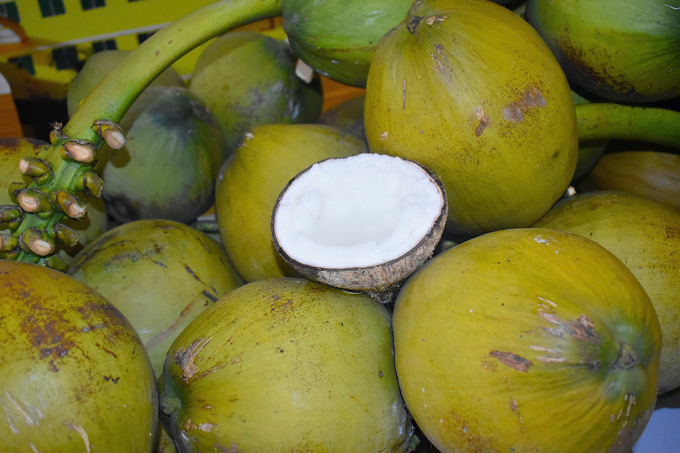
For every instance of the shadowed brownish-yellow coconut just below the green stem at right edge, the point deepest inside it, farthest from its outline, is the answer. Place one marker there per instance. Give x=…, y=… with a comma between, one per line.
x=647, y=172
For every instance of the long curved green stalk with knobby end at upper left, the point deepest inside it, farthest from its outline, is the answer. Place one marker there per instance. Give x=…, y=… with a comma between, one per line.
x=109, y=101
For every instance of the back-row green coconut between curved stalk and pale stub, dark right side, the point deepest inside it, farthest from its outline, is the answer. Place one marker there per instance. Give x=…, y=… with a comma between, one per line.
x=247, y=78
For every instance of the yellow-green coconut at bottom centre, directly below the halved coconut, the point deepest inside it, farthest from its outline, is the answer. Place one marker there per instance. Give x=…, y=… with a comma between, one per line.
x=284, y=365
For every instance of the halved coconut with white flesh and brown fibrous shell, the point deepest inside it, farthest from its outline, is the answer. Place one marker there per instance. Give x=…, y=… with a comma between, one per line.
x=364, y=222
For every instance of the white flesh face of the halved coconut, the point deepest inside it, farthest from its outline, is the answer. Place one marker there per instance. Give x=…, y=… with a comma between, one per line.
x=357, y=211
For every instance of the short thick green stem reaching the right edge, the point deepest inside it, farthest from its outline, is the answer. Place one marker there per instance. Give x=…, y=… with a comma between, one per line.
x=597, y=121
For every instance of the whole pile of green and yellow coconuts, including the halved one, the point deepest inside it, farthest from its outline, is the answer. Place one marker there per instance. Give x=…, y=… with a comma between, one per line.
x=458, y=261
